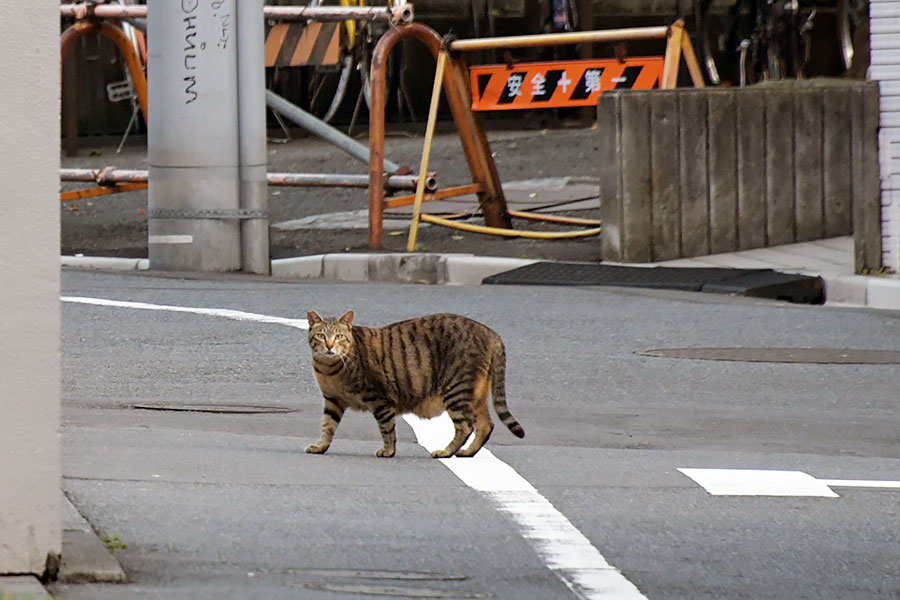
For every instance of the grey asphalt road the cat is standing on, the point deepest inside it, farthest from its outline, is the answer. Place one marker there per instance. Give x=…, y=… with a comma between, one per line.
x=229, y=505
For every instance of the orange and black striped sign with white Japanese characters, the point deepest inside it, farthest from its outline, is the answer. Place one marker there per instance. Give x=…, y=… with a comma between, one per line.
x=558, y=84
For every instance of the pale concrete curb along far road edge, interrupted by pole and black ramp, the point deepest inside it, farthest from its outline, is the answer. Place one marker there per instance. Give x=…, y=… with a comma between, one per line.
x=467, y=269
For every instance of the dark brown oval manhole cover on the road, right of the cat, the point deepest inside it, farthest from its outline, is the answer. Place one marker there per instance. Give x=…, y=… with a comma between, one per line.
x=783, y=355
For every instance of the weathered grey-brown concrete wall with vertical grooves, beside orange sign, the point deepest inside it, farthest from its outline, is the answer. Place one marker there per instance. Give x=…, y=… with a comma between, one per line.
x=694, y=172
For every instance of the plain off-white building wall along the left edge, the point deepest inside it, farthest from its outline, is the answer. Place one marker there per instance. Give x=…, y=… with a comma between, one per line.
x=30, y=470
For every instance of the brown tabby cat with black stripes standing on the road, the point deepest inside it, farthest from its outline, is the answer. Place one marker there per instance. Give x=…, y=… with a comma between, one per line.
x=423, y=366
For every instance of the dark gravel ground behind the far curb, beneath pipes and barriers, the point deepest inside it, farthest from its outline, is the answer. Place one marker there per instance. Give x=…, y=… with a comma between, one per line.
x=117, y=225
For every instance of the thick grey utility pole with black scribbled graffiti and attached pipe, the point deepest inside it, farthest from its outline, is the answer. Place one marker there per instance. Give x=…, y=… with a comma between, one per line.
x=195, y=144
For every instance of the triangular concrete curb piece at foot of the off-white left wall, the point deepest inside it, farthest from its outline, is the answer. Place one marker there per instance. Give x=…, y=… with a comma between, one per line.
x=85, y=558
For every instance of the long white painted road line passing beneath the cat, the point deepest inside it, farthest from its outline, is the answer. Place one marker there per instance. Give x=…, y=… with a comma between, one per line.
x=562, y=547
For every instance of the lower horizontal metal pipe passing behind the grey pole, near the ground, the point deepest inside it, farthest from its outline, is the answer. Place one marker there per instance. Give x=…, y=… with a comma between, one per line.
x=111, y=175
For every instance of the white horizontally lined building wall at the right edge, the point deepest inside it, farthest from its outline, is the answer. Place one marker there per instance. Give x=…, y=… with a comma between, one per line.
x=885, y=68
